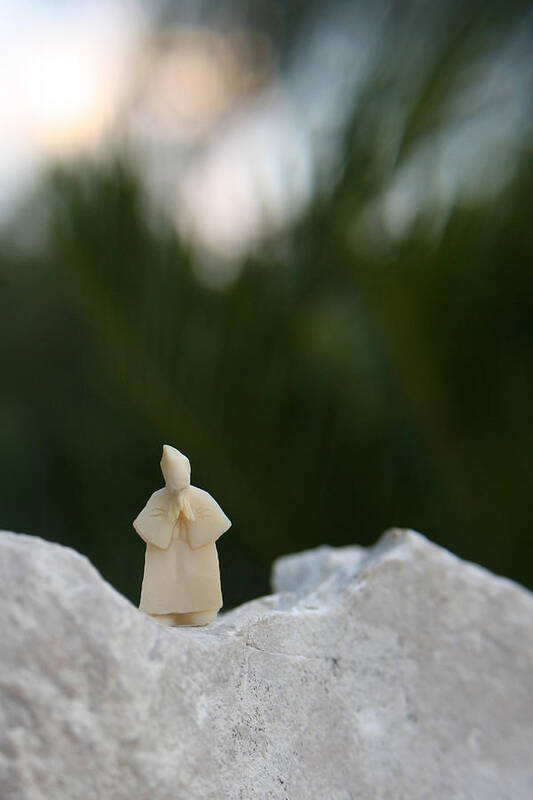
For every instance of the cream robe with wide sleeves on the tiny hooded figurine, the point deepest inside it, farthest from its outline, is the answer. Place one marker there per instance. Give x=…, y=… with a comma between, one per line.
x=181, y=572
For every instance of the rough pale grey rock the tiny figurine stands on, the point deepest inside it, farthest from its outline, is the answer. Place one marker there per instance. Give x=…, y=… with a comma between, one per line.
x=399, y=672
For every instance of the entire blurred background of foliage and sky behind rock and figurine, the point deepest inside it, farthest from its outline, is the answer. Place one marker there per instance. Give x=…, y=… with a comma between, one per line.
x=294, y=240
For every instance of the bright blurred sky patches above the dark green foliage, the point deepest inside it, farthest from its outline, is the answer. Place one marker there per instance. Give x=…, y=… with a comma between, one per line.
x=233, y=132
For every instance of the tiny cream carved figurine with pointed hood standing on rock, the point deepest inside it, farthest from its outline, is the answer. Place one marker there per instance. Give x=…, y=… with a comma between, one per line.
x=180, y=525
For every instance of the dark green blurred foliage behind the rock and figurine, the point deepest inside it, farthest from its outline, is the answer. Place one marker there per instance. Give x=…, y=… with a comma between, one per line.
x=327, y=394
